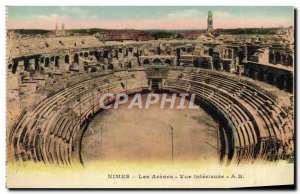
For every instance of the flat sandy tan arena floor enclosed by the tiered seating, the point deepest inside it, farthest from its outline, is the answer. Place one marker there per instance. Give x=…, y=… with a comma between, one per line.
x=145, y=136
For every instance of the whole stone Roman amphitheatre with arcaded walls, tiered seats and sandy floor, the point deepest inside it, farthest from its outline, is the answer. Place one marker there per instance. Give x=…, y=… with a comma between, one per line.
x=244, y=85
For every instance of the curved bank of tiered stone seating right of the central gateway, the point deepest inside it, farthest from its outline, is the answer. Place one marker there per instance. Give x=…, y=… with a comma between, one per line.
x=240, y=98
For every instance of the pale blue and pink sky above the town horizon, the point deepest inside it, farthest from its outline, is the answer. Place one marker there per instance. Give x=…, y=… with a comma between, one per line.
x=134, y=17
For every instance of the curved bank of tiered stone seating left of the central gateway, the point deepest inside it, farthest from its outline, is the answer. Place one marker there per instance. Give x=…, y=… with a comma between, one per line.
x=48, y=133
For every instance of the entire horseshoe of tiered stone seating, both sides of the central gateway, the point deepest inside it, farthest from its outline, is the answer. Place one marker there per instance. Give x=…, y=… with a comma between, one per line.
x=51, y=131
